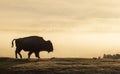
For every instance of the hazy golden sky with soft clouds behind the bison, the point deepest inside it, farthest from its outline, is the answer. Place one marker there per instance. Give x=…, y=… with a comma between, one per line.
x=77, y=28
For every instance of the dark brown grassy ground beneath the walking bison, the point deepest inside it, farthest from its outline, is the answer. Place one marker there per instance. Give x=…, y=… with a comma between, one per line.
x=59, y=66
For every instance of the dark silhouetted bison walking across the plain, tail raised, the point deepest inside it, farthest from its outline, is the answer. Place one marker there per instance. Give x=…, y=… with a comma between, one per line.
x=32, y=44
